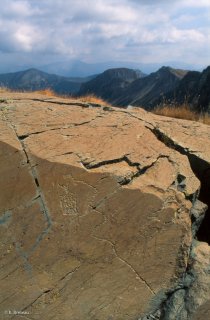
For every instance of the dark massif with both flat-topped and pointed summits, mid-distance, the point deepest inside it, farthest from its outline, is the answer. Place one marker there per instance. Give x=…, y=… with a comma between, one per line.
x=131, y=88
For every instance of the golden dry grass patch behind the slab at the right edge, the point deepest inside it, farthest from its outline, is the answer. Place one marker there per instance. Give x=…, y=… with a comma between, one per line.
x=182, y=112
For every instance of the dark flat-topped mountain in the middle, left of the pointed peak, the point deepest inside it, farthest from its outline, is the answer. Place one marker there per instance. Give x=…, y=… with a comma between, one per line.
x=110, y=84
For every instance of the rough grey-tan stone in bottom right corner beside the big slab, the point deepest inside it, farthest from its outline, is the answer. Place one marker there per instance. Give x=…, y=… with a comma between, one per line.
x=191, y=301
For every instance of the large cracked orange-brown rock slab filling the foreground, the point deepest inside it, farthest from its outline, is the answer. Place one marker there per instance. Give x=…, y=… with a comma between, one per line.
x=96, y=211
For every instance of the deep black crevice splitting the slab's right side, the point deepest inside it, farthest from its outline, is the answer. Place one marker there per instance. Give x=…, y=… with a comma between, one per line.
x=201, y=169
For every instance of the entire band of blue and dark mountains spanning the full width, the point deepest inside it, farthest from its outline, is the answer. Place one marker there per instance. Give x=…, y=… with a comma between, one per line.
x=123, y=86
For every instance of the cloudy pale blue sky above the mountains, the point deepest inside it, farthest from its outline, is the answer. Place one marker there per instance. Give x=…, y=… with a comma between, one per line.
x=36, y=32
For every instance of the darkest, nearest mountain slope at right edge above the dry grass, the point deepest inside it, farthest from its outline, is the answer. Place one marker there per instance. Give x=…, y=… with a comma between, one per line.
x=194, y=89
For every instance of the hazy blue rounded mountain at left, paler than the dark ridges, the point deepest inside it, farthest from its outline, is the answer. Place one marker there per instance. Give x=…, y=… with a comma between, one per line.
x=33, y=79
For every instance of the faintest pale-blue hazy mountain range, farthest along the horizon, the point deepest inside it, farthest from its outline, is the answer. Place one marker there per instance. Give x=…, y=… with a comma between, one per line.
x=78, y=68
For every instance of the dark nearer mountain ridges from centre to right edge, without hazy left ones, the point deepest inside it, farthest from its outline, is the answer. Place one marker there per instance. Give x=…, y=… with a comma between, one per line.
x=167, y=85
